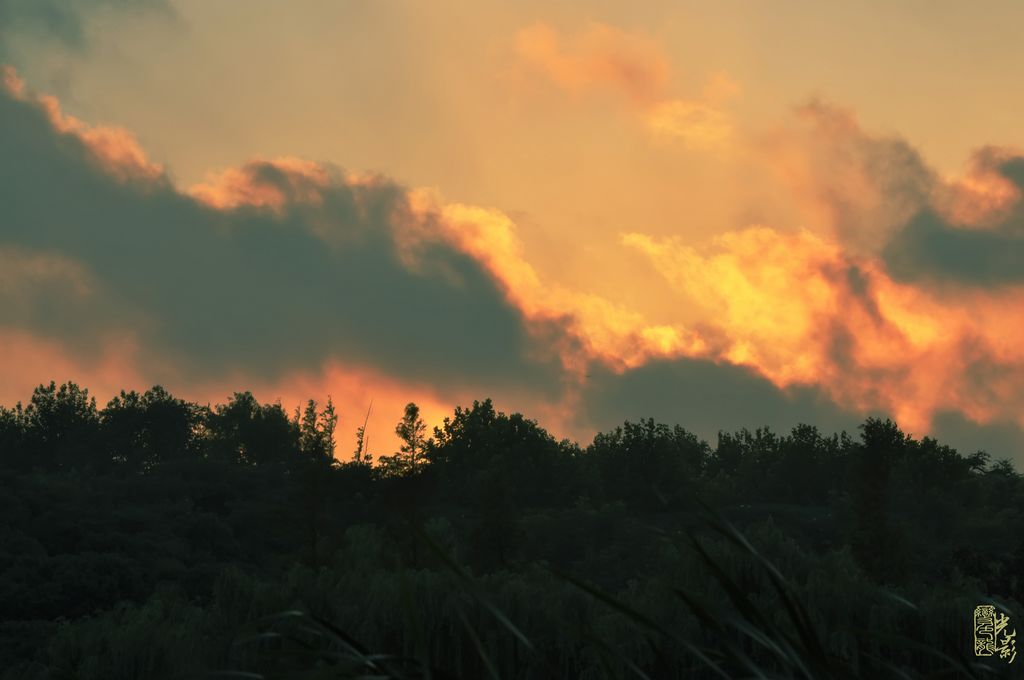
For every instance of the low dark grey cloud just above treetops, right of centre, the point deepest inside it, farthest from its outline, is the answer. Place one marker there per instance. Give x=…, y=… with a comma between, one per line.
x=706, y=398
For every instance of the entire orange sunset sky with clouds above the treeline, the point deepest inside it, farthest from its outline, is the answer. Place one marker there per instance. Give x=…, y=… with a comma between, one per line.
x=722, y=216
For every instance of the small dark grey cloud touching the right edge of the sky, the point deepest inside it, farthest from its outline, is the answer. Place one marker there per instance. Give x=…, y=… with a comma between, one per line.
x=931, y=248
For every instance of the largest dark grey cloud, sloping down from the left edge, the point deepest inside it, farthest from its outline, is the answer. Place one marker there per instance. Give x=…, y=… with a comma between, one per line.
x=253, y=289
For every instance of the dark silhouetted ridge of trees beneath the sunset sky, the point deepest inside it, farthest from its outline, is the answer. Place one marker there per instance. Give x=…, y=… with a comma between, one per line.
x=143, y=539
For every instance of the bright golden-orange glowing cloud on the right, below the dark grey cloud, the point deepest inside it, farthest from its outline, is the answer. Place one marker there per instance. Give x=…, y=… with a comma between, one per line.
x=799, y=310
